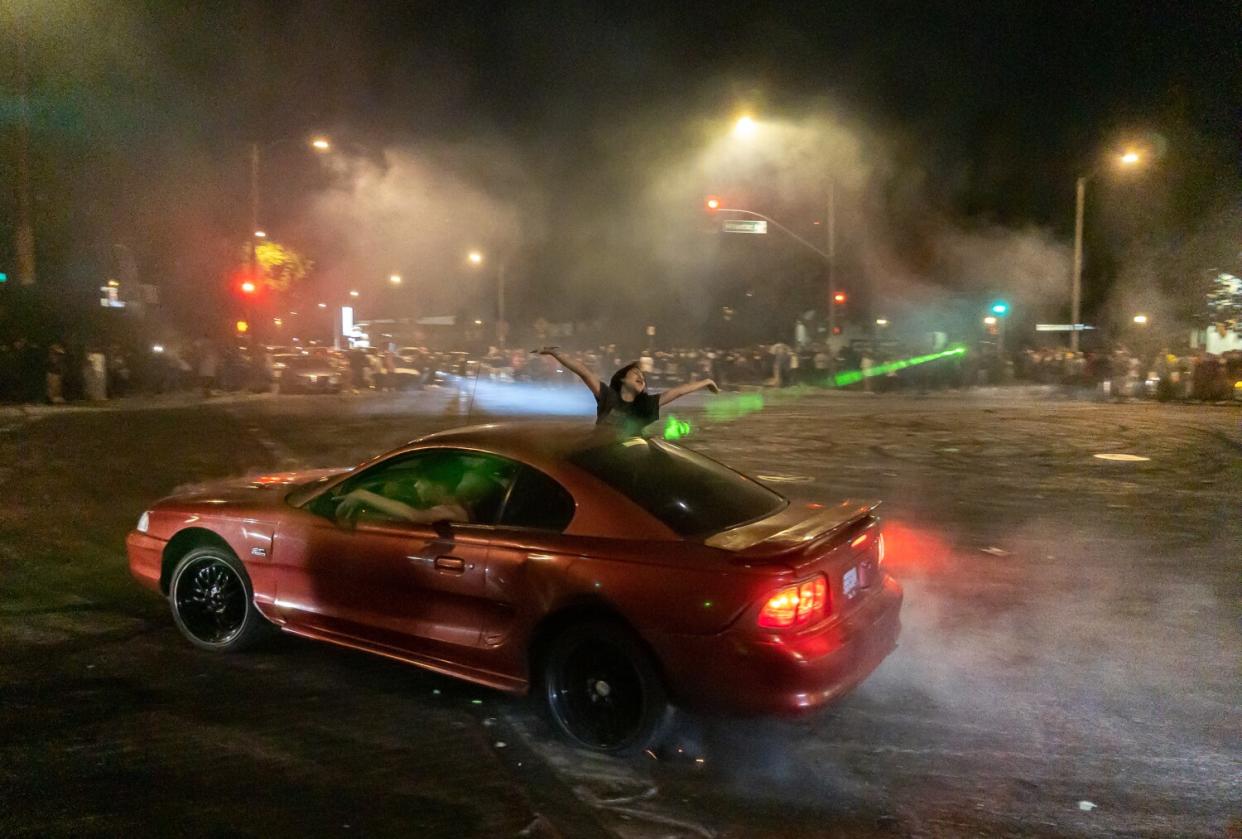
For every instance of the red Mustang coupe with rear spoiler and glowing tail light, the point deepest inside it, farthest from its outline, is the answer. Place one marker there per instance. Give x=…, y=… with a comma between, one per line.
x=612, y=575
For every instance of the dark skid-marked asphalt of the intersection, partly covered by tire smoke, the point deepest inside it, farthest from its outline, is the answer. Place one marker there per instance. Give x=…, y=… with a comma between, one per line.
x=1070, y=662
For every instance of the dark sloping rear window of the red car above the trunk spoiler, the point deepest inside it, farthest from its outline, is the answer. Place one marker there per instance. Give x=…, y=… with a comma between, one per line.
x=692, y=495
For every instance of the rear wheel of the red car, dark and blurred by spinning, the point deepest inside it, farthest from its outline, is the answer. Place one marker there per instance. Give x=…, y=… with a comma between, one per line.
x=602, y=689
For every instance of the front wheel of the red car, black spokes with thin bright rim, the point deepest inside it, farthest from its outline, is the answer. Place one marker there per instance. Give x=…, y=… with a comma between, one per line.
x=213, y=601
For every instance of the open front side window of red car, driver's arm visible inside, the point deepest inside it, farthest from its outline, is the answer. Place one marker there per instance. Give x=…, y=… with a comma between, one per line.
x=425, y=487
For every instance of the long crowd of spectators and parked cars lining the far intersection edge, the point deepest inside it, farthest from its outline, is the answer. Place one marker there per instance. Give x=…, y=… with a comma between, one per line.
x=32, y=373
